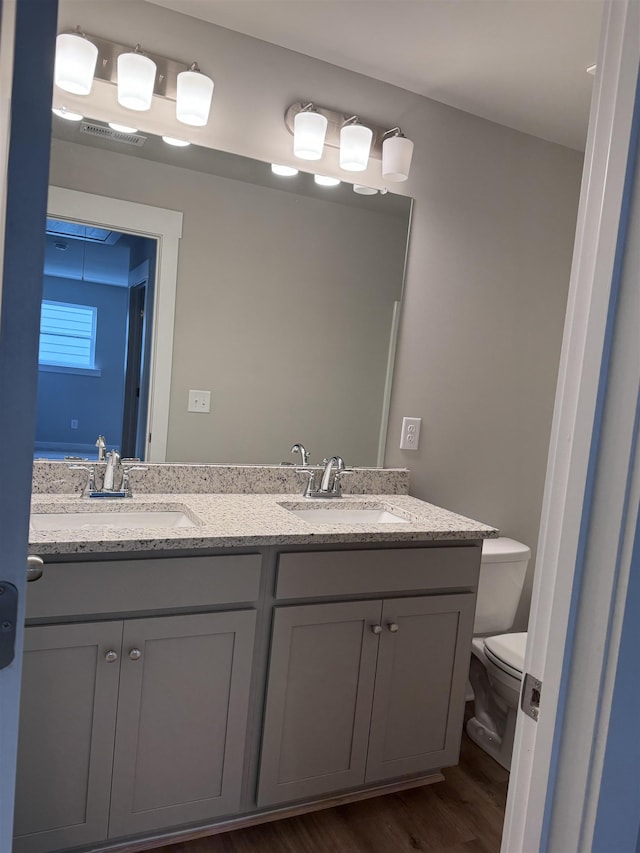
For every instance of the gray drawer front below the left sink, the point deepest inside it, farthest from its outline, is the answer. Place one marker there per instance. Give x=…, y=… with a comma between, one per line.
x=122, y=586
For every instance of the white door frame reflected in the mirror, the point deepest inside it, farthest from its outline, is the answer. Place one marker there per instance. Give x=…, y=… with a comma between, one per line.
x=165, y=226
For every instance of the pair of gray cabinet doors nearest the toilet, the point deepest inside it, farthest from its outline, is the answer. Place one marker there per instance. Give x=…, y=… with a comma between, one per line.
x=363, y=691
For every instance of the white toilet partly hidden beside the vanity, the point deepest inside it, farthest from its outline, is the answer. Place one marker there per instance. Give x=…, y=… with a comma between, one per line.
x=497, y=658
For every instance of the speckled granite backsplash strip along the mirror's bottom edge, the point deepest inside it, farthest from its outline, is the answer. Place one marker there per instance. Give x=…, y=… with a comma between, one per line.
x=169, y=478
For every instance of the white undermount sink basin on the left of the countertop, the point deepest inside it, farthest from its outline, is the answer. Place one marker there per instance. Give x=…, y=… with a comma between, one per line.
x=126, y=520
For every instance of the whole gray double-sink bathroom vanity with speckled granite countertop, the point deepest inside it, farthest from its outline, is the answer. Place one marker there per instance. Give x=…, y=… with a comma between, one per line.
x=179, y=681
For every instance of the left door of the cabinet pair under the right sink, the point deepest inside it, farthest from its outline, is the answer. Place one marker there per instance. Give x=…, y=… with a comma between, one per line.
x=320, y=688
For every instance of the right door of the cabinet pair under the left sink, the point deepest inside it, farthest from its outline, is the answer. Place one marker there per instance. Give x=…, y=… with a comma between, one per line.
x=182, y=713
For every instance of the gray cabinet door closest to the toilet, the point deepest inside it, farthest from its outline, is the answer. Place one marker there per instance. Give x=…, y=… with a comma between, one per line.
x=418, y=706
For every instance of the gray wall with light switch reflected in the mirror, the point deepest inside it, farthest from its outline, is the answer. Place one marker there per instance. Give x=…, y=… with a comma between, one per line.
x=283, y=310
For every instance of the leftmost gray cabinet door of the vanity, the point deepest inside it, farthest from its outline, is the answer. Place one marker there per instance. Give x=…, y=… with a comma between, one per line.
x=67, y=726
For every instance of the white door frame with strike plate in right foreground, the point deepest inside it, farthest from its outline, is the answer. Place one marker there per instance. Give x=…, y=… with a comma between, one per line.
x=584, y=549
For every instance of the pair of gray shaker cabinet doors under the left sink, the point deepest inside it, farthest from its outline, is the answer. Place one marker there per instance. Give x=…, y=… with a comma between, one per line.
x=132, y=725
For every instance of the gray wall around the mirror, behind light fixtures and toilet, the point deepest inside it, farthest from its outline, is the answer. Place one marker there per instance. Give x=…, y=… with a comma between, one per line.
x=489, y=257
